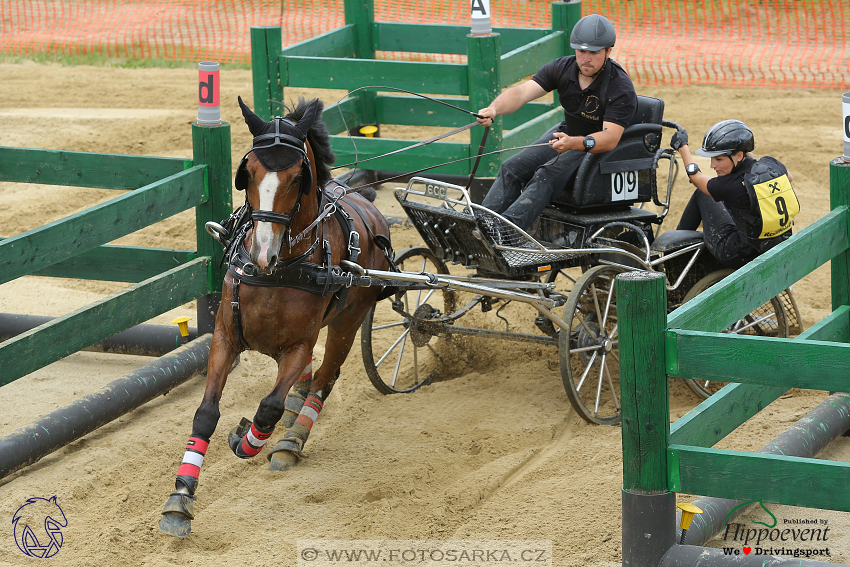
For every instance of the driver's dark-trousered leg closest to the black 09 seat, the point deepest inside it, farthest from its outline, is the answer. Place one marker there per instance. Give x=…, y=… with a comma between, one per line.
x=548, y=179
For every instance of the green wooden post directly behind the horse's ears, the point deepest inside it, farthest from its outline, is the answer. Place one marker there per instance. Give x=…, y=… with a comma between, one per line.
x=266, y=45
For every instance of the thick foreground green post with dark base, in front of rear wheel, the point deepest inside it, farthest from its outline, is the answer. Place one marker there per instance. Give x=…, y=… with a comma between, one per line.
x=649, y=508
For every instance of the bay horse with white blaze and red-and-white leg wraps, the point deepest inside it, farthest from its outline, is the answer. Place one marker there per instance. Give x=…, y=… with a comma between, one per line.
x=280, y=290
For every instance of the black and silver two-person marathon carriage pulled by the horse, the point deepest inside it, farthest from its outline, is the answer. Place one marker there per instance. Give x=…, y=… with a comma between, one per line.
x=564, y=269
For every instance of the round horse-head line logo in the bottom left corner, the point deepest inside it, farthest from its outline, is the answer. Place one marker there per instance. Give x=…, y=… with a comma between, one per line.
x=38, y=527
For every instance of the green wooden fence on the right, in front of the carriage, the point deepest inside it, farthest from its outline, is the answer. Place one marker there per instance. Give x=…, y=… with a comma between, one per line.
x=659, y=457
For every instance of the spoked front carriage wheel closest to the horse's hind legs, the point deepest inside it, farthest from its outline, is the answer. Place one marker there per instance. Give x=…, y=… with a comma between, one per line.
x=398, y=357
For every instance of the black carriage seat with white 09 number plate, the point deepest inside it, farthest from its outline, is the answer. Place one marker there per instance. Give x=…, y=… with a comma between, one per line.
x=624, y=175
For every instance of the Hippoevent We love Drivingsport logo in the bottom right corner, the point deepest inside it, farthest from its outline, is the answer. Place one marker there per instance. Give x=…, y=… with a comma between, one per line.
x=791, y=537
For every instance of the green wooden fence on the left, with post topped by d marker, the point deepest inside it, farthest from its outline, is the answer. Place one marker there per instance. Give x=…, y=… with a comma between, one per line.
x=76, y=246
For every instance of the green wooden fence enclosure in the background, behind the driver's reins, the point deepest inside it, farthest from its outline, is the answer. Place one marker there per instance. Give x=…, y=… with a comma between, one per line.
x=344, y=58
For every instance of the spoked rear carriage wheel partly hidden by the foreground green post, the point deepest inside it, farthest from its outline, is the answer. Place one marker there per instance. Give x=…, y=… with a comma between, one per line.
x=589, y=353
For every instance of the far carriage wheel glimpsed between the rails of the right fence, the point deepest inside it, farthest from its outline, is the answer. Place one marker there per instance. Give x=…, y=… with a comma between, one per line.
x=769, y=320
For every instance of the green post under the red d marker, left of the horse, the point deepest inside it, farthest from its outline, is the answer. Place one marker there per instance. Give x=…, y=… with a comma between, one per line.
x=211, y=146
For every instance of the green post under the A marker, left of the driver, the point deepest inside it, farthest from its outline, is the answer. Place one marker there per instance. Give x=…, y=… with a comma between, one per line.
x=484, y=54
